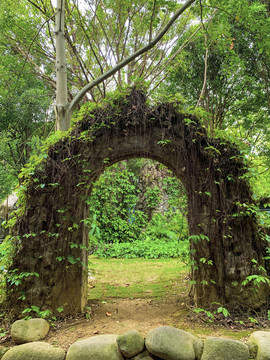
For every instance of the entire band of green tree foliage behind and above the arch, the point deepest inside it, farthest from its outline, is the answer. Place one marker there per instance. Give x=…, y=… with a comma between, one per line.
x=223, y=45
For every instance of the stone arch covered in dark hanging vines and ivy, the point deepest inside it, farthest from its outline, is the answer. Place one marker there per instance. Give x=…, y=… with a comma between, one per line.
x=51, y=239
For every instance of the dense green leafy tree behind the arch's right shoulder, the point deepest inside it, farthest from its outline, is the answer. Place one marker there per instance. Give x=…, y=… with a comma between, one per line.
x=223, y=76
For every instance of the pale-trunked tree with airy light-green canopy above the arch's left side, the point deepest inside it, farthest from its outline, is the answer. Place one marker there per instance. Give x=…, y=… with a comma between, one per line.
x=99, y=36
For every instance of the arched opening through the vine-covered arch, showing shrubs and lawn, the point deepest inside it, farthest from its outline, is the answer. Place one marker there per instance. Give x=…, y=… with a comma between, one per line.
x=137, y=211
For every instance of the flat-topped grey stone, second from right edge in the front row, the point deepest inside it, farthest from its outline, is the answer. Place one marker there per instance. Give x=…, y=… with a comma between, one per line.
x=224, y=349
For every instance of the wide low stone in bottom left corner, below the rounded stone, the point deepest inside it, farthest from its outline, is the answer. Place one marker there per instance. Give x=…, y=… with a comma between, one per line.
x=35, y=351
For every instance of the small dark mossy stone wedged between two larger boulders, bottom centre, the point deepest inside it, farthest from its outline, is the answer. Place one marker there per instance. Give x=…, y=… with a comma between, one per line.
x=130, y=343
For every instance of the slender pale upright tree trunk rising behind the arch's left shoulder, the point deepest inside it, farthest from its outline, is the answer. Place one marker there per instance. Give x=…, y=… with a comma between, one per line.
x=62, y=121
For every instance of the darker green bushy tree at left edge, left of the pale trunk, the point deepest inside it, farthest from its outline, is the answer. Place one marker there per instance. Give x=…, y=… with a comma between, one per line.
x=24, y=118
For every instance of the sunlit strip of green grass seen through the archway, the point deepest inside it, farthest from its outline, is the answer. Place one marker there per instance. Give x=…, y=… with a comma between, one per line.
x=137, y=278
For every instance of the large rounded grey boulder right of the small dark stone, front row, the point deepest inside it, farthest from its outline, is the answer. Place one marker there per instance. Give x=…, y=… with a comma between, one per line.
x=169, y=343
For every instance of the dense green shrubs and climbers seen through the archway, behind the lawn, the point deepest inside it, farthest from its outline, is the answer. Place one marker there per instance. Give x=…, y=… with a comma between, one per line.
x=117, y=226
